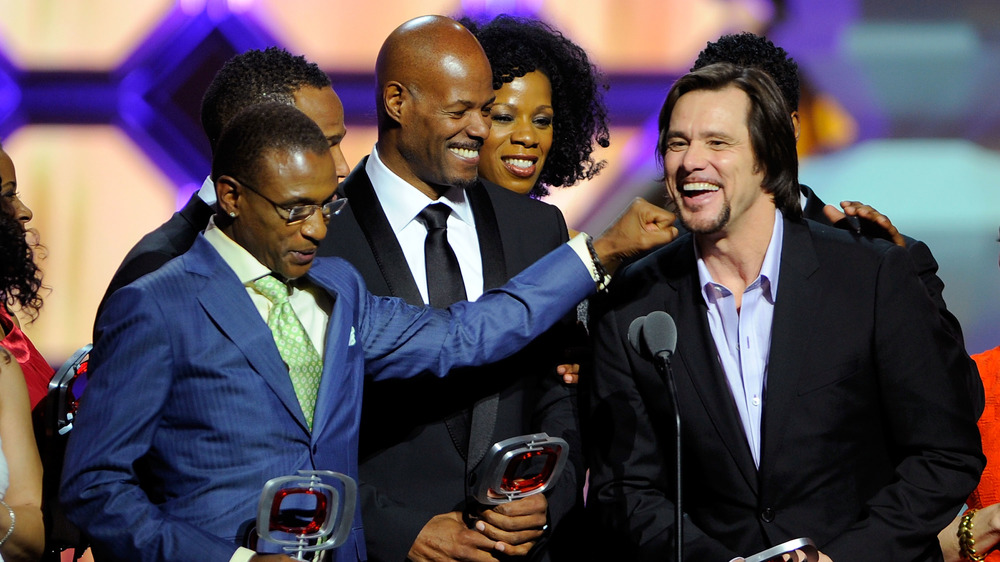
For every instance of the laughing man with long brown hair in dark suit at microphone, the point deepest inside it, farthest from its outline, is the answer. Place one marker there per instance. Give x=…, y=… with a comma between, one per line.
x=819, y=390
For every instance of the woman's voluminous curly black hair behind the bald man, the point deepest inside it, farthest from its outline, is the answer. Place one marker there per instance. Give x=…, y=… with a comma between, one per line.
x=516, y=46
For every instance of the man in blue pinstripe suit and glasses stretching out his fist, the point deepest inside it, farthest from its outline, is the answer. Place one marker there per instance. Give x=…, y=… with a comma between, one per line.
x=190, y=408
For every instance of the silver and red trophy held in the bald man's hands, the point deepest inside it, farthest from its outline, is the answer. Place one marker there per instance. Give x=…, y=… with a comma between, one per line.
x=520, y=467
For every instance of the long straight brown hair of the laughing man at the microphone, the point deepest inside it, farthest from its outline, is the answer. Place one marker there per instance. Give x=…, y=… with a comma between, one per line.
x=769, y=122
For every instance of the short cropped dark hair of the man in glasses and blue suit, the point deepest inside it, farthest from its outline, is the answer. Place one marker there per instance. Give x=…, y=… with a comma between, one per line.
x=260, y=129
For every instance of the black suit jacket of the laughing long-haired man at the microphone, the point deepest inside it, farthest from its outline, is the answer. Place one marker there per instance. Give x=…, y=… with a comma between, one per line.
x=869, y=442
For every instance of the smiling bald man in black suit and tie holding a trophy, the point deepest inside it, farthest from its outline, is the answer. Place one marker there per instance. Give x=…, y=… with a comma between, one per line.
x=434, y=91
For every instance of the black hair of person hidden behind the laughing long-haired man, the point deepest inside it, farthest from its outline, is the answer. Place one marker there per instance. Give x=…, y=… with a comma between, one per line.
x=749, y=50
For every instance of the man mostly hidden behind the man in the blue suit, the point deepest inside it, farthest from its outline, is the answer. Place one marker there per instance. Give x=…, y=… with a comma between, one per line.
x=247, y=79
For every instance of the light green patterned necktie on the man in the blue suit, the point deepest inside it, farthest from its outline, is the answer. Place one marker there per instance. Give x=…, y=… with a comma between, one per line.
x=304, y=365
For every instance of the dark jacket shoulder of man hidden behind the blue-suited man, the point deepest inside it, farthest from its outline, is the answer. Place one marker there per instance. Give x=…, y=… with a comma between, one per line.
x=163, y=244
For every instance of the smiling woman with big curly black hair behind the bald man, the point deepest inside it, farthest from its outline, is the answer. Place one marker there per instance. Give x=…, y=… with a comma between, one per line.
x=549, y=112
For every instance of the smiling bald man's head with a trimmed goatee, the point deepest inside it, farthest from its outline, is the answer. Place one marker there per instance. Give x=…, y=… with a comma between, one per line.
x=434, y=91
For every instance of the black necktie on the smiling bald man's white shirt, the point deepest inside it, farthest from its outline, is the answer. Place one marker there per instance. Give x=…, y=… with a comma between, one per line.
x=444, y=277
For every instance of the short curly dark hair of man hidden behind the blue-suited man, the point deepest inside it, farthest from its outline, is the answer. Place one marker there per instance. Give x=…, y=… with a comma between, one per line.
x=253, y=77
